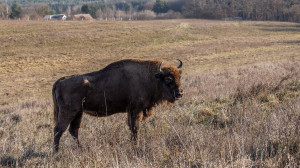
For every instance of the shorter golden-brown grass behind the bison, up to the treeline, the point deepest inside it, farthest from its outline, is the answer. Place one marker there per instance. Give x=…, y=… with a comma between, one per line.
x=35, y=54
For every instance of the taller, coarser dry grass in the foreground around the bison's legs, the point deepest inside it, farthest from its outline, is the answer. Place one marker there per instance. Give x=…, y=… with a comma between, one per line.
x=243, y=117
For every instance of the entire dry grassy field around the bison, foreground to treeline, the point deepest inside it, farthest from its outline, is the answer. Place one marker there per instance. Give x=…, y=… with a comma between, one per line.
x=240, y=108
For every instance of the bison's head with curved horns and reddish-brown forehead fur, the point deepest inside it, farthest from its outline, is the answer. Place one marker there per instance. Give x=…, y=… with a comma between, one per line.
x=169, y=82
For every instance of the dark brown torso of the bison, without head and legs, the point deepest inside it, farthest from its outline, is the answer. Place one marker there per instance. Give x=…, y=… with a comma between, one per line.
x=111, y=90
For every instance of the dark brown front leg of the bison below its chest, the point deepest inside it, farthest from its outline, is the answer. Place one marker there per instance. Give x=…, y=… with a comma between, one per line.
x=134, y=120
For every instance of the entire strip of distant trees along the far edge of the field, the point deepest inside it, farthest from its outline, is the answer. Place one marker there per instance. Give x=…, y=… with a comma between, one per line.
x=276, y=10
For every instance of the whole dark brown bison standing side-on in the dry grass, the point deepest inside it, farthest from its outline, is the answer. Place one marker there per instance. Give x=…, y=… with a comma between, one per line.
x=129, y=86
